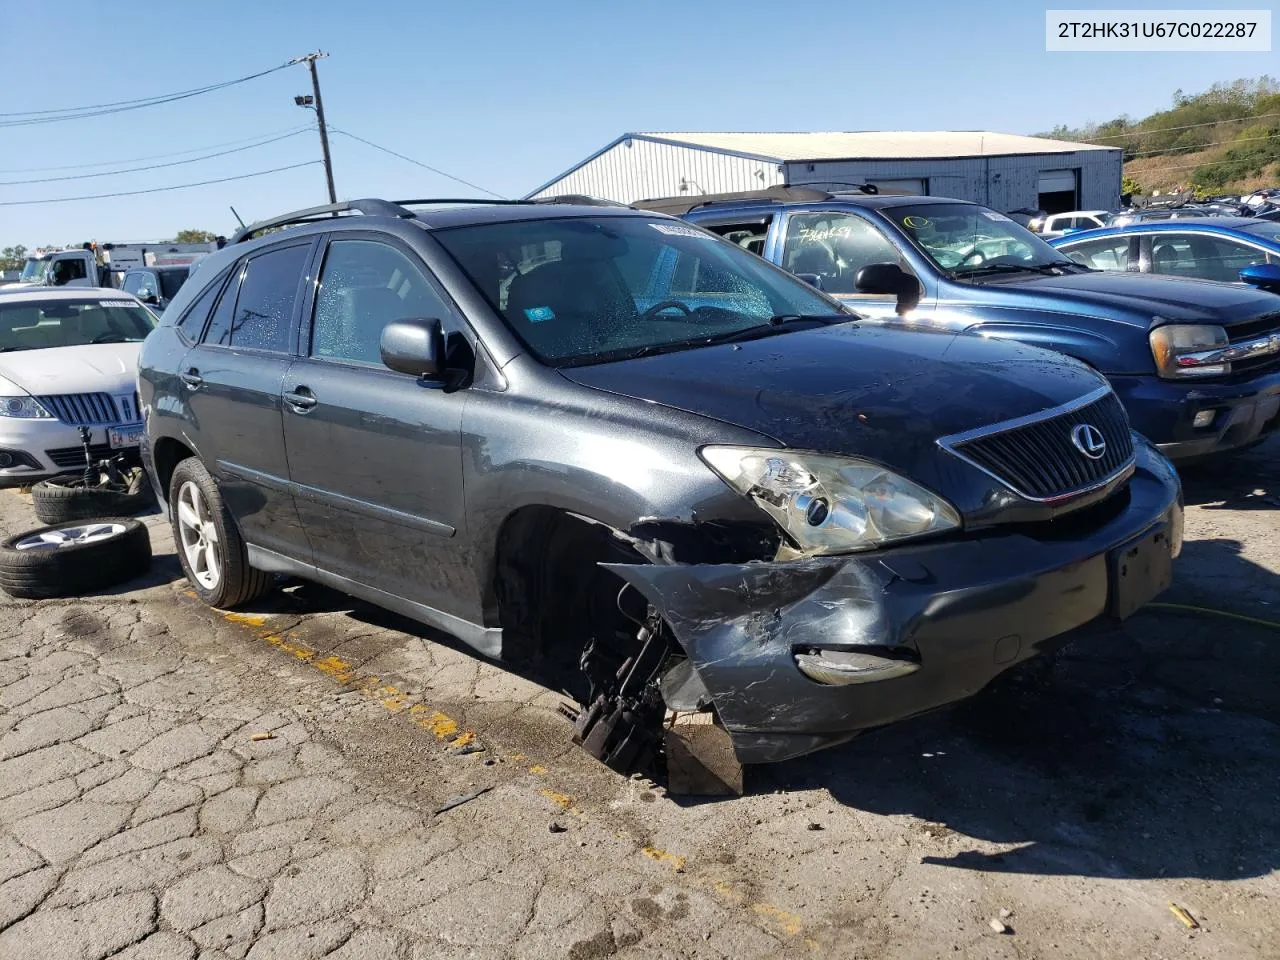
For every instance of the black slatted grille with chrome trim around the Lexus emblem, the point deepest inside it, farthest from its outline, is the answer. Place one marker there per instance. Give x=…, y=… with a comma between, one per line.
x=1036, y=456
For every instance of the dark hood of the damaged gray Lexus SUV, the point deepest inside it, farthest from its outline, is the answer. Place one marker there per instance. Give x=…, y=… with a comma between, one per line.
x=852, y=391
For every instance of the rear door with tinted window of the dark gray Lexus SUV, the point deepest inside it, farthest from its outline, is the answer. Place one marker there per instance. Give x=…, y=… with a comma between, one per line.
x=231, y=383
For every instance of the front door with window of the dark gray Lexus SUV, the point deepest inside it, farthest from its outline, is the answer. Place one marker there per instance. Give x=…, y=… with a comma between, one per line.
x=376, y=456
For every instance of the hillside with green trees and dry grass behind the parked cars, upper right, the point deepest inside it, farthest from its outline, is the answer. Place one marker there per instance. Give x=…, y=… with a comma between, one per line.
x=1226, y=140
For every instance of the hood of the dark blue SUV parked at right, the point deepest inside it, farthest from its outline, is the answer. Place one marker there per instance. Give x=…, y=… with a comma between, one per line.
x=1137, y=299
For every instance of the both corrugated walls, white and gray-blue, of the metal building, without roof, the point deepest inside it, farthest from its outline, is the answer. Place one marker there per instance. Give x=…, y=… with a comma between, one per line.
x=641, y=170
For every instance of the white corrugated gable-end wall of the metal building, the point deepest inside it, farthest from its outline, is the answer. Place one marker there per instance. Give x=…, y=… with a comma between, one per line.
x=646, y=170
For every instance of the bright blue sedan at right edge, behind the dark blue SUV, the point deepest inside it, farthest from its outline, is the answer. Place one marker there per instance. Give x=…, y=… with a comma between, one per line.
x=1205, y=248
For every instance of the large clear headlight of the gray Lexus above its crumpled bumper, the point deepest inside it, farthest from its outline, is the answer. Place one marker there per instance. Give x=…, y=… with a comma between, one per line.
x=831, y=505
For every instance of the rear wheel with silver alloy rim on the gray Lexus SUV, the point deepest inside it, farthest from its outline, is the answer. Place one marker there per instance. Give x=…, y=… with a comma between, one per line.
x=209, y=543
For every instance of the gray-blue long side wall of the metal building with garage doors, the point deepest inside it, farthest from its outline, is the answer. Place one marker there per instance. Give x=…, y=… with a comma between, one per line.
x=999, y=182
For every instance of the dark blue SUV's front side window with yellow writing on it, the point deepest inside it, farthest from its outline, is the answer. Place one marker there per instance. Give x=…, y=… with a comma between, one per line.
x=835, y=246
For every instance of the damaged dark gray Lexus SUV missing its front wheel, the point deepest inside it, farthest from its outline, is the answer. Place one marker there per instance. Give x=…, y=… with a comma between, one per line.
x=614, y=442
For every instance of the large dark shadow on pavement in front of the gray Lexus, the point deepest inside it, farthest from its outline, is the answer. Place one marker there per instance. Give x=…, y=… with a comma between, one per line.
x=1148, y=751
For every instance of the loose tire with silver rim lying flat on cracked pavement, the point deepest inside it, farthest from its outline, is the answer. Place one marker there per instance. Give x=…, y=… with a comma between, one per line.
x=68, y=560
